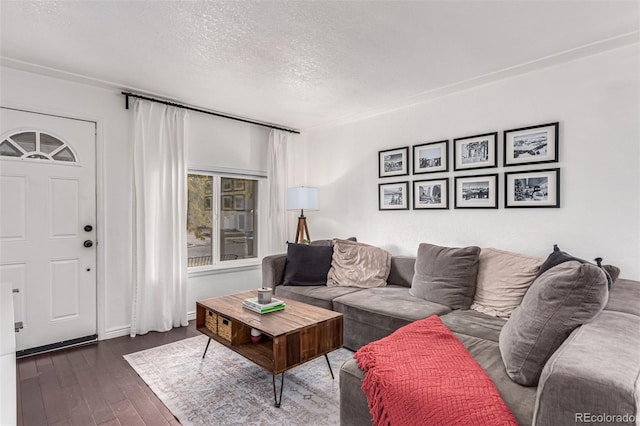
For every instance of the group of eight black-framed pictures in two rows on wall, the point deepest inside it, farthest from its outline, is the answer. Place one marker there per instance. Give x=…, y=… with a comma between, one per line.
x=523, y=188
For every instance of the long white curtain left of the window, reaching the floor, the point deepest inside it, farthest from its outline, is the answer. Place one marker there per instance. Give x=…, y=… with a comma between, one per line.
x=160, y=216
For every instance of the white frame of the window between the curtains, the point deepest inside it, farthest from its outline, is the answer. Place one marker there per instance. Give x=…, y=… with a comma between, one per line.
x=218, y=265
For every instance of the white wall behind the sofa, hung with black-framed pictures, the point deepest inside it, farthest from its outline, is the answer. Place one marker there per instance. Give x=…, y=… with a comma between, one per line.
x=596, y=101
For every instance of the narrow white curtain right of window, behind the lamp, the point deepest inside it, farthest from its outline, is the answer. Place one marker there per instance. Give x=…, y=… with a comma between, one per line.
x=277, y=170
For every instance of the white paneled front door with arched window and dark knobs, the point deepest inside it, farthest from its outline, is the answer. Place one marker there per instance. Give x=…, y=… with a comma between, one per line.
x=48, y=226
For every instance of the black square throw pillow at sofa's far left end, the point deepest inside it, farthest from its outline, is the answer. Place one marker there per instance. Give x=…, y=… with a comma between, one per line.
x=307, y=265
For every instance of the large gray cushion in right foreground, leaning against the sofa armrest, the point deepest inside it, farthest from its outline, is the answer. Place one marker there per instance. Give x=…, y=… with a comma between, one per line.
x=557, y=302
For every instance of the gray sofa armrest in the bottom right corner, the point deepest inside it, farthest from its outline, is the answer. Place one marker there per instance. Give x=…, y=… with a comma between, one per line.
x=594, y=373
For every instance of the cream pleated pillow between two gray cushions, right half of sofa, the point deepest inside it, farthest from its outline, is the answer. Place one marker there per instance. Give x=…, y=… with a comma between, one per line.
x=503, y=279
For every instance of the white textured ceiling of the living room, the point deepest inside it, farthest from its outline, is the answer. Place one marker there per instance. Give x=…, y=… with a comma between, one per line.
x=300, y=64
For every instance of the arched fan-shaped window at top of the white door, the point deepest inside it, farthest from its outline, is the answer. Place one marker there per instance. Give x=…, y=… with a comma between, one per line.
x=36, y=145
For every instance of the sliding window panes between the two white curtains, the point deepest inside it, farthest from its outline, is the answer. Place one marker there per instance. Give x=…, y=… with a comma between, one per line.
x=221, y=219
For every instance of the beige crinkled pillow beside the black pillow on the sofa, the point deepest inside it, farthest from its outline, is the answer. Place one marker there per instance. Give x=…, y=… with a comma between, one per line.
x=358, y=265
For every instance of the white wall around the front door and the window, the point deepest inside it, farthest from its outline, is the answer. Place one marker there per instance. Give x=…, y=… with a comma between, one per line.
x=213, y=142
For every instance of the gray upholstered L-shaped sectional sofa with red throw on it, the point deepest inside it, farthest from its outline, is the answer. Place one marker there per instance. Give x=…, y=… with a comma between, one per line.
x=593, y=376
